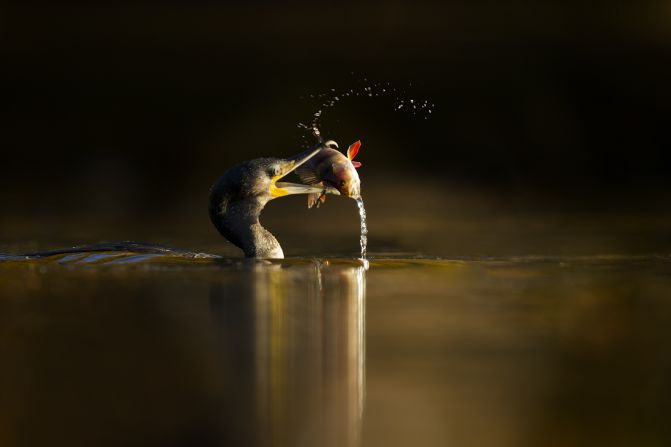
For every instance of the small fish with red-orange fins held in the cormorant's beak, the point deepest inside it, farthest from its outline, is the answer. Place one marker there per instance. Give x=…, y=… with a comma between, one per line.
x=330, y=167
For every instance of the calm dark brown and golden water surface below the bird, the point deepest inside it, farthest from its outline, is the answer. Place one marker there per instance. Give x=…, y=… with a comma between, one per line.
x=168, y=349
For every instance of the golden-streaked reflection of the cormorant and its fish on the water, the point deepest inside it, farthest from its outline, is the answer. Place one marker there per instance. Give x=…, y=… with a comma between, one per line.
x=294, y=342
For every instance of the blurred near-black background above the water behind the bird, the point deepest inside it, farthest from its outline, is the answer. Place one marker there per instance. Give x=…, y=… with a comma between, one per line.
x=118, y=116
